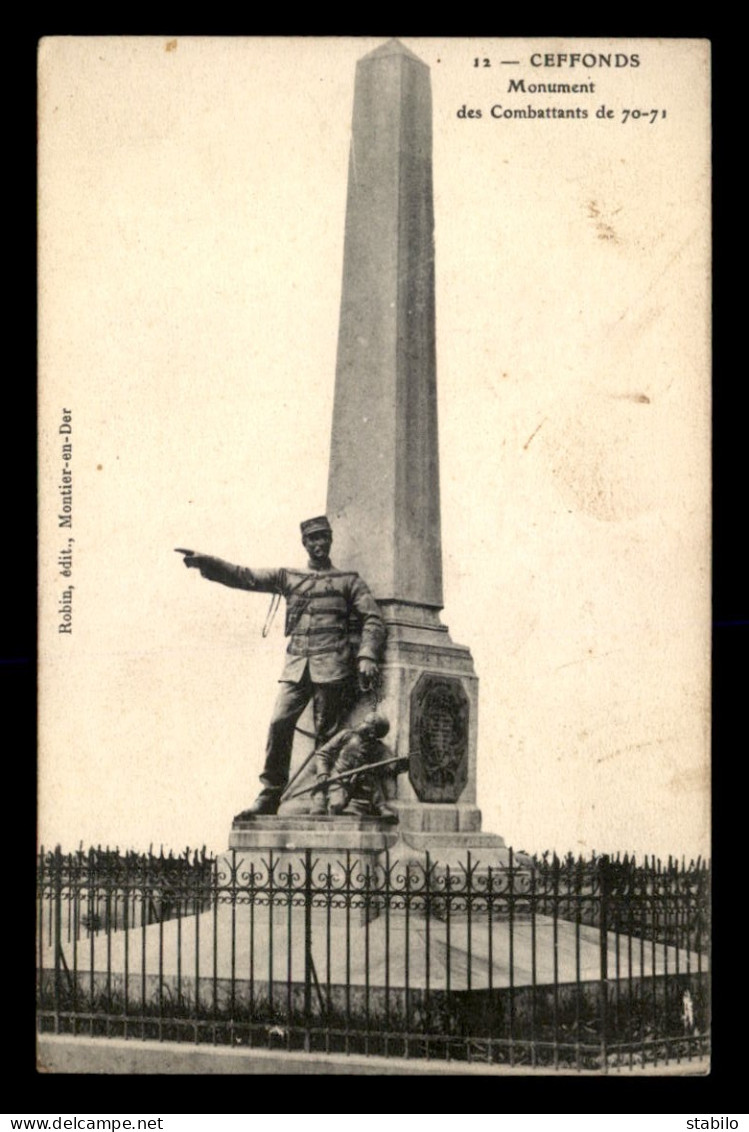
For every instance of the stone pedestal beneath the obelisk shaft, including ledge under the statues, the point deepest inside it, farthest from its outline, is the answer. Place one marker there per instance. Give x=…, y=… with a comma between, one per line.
x=431, y=696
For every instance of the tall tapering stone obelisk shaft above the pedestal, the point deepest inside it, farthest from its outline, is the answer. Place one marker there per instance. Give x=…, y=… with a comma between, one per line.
x=384, y=481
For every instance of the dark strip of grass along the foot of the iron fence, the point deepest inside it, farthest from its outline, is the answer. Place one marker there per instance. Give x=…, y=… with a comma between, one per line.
x=466, y=1027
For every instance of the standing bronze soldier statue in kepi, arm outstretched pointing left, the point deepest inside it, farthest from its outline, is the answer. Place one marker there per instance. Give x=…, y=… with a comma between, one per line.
x=337, y=638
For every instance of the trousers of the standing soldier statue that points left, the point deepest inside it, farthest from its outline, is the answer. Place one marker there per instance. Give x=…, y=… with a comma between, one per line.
x=330, y=701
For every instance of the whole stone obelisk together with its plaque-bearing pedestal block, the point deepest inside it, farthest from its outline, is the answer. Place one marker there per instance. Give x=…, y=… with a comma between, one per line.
x=384, y=482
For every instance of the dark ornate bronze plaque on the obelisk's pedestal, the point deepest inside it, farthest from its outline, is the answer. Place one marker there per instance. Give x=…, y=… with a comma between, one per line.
x=440, y=739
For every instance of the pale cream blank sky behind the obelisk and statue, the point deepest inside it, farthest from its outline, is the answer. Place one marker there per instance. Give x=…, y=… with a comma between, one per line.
x=192, y=218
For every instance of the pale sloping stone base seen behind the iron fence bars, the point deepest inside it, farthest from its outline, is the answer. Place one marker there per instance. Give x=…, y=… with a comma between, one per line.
x=218, y=949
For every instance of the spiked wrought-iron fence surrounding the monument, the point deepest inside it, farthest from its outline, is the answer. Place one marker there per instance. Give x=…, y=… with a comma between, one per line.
x=591, y=964
